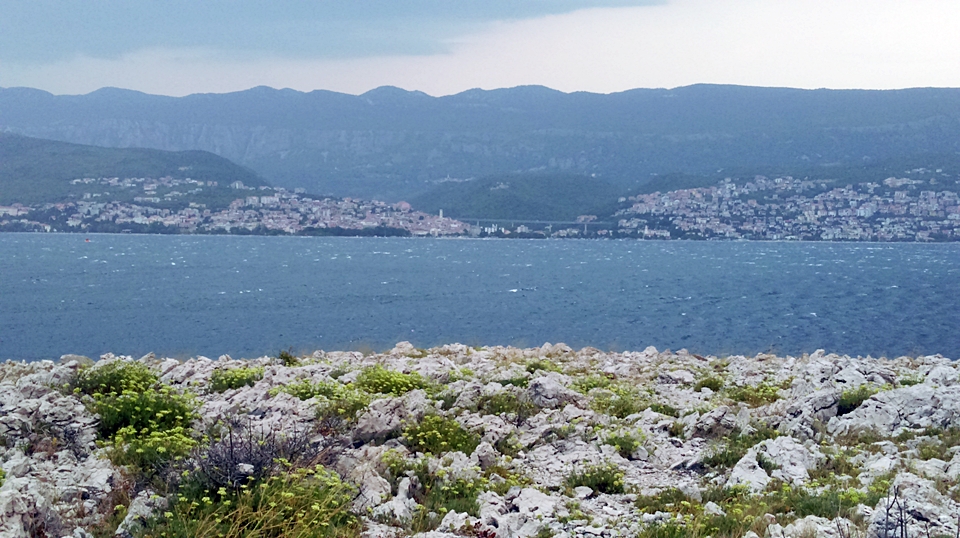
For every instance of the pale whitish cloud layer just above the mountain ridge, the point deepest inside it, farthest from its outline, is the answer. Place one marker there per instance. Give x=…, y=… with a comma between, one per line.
x=796, y=43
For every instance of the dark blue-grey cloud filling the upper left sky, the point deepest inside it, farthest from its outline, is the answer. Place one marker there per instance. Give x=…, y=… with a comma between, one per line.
x=55, y=30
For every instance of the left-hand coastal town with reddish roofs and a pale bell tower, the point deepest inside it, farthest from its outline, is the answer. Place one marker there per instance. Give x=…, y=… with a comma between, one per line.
x=160, y=206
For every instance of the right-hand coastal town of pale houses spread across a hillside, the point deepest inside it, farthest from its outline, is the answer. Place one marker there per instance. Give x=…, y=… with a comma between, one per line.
x=785, y=208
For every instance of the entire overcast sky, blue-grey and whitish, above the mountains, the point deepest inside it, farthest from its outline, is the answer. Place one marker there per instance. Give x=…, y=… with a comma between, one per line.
x=177, y=47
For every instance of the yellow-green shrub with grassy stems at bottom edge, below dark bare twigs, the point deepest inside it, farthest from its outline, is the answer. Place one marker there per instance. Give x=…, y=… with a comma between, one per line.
x=310, y=502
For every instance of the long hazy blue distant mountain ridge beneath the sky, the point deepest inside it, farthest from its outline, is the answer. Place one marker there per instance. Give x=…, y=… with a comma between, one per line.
x=393, y=144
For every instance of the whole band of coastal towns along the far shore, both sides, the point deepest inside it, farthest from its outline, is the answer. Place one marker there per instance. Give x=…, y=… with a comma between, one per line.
x=924, y=207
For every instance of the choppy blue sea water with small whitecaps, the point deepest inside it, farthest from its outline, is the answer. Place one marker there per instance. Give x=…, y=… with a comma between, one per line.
x=247, y=296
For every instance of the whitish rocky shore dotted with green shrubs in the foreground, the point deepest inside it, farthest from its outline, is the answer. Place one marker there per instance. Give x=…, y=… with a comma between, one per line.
x=491, y=441
